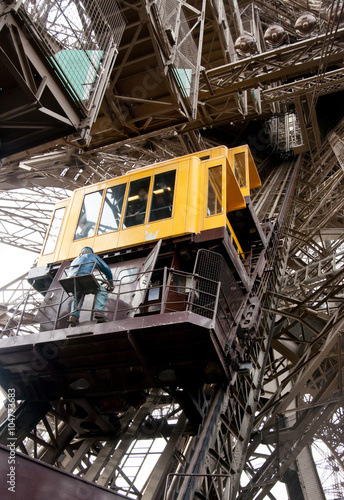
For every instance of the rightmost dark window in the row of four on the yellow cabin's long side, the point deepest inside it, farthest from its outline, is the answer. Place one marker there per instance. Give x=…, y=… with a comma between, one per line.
x=162, y=198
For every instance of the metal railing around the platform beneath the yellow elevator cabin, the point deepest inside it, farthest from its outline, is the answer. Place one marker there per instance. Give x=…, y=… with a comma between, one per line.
x=134, y=295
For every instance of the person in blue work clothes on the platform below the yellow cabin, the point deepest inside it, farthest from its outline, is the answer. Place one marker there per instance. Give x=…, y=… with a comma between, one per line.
x=83, y=264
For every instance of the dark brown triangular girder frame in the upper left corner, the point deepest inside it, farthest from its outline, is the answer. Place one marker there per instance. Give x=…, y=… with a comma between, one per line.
x=34, y=108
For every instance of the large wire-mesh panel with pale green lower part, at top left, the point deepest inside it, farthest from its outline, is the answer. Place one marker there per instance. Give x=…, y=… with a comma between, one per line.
x=80, y=40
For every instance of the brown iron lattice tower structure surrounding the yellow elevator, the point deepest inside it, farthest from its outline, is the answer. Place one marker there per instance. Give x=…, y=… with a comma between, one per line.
x=170, y=78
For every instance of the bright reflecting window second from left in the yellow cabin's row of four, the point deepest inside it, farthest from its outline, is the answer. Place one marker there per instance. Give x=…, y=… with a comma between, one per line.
x=112, y=209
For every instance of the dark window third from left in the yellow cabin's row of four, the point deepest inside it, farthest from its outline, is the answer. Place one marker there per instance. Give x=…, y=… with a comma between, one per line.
x=135, y=212
